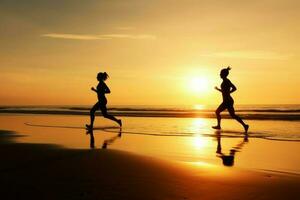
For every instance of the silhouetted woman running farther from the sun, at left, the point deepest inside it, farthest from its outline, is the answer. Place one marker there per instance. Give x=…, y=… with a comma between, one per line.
x=101, y=90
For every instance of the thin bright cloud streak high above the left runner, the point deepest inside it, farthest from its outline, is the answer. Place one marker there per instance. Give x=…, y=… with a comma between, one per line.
x=99, y=37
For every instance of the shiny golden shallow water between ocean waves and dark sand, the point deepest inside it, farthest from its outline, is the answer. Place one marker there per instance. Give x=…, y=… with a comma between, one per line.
x=270, y=145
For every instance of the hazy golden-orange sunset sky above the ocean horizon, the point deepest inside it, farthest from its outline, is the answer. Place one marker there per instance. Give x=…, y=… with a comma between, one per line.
x=52, y=50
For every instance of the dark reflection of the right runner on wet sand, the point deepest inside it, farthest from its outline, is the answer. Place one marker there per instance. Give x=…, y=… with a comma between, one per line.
x=228, y=160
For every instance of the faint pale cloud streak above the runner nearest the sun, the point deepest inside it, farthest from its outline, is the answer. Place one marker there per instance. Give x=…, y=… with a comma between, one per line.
x=265, y=55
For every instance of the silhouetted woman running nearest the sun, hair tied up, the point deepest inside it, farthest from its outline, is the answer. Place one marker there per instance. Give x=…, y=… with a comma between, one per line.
x=227, y=88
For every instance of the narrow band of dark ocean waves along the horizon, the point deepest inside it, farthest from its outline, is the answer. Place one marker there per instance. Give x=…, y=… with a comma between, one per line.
x=253, y=112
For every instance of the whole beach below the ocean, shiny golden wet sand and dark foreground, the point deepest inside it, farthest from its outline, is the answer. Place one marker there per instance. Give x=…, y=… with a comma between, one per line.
x=54, y=161
